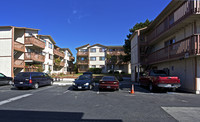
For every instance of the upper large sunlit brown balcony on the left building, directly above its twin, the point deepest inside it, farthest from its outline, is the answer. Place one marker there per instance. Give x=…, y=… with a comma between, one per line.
x=32, y=41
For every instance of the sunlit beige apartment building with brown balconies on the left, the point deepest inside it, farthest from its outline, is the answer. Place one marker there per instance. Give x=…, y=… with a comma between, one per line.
x=22, y=49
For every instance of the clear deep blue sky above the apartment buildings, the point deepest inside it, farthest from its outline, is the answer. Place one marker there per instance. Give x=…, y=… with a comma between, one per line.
x=73, y=23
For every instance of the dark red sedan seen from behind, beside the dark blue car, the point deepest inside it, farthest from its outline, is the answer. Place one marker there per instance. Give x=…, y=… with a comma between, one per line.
x=109, y=82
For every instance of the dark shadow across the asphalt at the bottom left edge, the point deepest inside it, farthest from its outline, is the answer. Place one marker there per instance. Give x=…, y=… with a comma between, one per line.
x=46, y=116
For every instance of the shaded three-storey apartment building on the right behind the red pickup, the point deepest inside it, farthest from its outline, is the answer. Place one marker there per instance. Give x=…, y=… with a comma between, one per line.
x=171, y=42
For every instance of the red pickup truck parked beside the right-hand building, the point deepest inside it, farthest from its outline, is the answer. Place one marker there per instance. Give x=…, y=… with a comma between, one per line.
x=159, y=79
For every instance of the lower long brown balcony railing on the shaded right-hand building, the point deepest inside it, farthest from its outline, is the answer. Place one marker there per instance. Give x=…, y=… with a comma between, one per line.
x=181, y=49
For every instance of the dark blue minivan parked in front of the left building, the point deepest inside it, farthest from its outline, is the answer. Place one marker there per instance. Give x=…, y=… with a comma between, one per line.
x=32, y=80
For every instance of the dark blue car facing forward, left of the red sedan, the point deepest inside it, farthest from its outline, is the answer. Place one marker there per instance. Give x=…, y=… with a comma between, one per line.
x=83, y=82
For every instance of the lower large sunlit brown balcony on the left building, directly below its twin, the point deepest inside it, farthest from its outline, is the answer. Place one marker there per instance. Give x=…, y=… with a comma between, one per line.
x=34, y=57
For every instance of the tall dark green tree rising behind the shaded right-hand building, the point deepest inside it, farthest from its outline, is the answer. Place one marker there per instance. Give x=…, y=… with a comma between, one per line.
x=127, y=45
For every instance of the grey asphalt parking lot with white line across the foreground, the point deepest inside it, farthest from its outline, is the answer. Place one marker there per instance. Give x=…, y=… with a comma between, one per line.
x=61, y=103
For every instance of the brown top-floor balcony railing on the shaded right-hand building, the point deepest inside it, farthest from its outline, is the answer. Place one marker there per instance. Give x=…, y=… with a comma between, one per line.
x=189, y=7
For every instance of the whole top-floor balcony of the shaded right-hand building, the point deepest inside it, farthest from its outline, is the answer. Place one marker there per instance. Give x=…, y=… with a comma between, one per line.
x=175, y=20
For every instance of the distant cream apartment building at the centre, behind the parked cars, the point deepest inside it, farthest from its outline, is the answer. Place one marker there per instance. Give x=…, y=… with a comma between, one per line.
x=95, y=56
